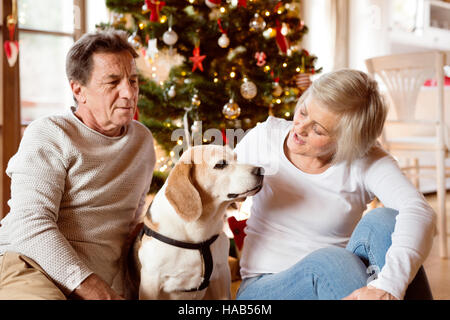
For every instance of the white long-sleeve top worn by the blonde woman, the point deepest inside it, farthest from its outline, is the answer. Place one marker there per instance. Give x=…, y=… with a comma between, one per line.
x=297, y=213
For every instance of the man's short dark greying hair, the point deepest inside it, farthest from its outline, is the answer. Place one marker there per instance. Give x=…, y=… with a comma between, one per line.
x=79, y=62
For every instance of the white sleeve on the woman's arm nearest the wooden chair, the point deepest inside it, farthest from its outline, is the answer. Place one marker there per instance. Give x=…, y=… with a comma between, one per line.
x=414, y=229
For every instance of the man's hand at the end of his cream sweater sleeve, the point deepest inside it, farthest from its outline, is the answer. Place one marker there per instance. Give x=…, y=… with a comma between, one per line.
x=94, y=288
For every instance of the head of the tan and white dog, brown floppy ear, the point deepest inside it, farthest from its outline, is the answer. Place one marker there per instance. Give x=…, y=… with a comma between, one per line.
x=209, y=174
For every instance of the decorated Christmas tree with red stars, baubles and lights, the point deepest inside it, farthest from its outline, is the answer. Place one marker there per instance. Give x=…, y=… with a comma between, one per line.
x=238, y=63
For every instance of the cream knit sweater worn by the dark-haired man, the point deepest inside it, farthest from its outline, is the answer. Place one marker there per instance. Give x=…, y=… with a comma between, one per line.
x=75, y=196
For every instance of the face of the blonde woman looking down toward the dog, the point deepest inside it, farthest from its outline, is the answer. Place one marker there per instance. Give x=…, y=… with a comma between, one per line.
x=313, y=131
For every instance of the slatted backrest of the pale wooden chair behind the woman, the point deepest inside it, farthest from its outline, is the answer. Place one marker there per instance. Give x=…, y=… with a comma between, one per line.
x=404, y=75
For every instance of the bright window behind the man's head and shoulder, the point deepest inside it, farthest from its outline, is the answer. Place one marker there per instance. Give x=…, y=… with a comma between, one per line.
x=47, y=30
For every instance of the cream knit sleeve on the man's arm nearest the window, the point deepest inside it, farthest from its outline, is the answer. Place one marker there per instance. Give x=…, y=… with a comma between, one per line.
x=38, y=175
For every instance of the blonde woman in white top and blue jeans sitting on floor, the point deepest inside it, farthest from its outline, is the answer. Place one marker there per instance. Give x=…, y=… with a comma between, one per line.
x=307, y=237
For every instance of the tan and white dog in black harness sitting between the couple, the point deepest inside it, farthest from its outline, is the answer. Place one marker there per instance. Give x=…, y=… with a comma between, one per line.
x=183, y=251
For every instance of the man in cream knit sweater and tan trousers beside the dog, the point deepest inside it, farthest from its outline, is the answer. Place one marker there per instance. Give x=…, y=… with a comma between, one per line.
x=78, y=182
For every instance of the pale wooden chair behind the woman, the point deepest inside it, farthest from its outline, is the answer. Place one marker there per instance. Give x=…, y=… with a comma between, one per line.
x=403, y=75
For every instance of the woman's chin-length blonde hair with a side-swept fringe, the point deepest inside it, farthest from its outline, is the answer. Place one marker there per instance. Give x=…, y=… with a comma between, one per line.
x=355, y=97
